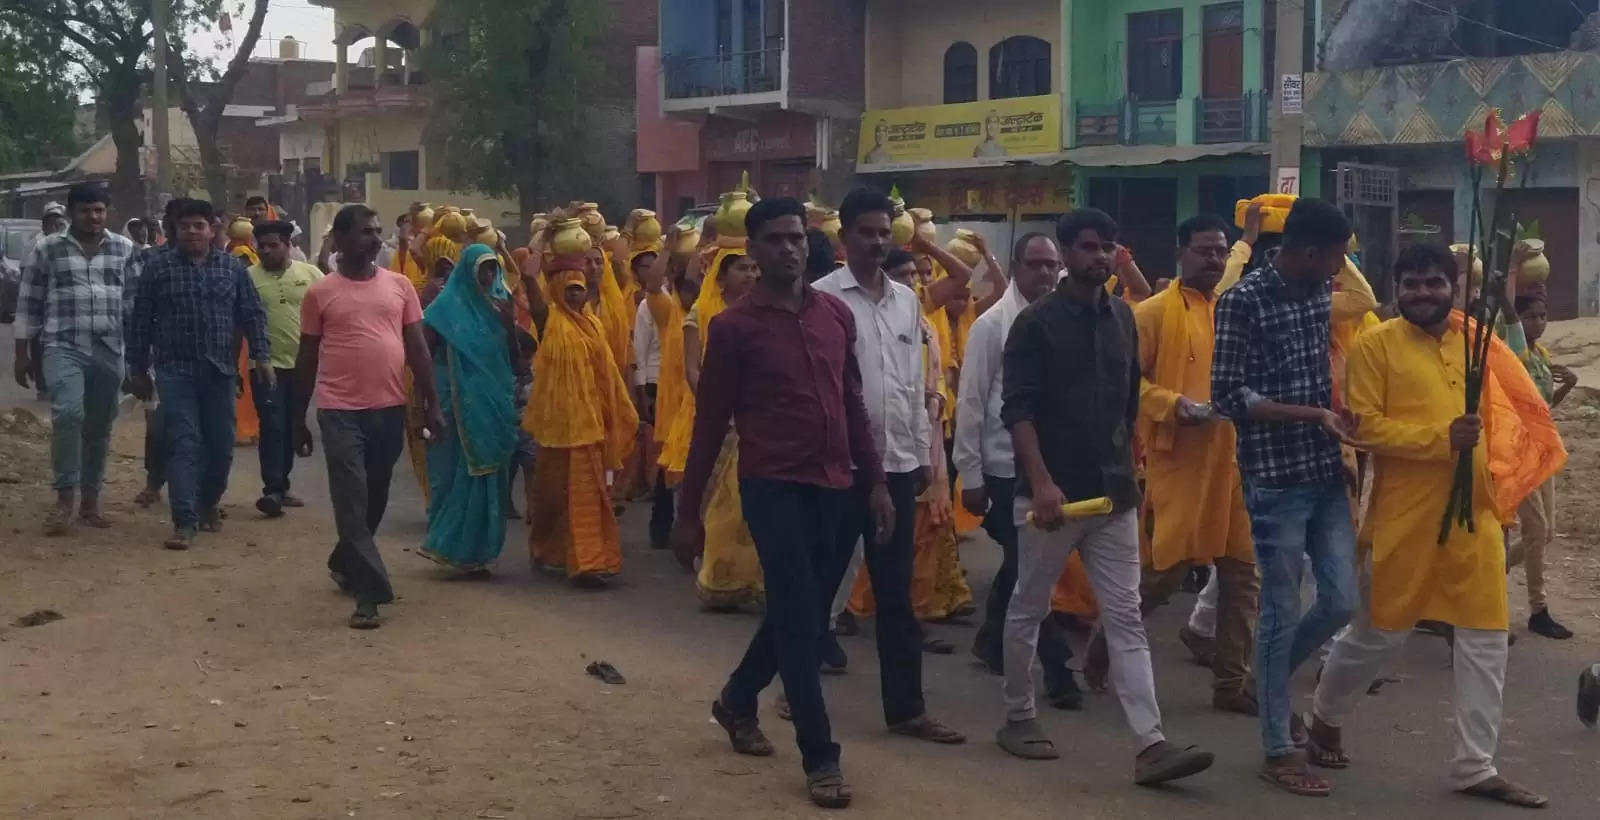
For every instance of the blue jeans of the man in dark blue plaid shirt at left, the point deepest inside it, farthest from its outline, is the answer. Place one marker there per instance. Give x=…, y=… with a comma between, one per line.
x=199, y=416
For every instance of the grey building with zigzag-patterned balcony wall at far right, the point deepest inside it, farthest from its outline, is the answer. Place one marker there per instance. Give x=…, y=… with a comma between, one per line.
x=1402, y=107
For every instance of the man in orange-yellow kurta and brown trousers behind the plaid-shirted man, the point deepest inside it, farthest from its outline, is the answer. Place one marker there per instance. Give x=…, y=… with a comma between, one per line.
x=1194, y=500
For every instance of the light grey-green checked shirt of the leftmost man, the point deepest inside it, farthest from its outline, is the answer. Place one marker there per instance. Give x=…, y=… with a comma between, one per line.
x=71, y=299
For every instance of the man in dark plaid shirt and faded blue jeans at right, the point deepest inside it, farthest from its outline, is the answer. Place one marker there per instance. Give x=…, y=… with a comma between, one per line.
x=1271, y=376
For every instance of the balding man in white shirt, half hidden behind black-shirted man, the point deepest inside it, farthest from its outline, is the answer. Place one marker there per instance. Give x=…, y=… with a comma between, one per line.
x=986, y=465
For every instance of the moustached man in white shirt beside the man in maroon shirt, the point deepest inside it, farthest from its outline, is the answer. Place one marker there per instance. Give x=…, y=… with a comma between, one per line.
x=889, y=344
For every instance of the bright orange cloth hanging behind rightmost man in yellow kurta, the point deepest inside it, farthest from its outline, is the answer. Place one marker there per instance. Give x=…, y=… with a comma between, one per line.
x=1524, y=446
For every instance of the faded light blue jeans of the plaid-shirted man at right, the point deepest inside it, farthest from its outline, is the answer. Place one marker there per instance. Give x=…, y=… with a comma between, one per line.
x=1290, y=525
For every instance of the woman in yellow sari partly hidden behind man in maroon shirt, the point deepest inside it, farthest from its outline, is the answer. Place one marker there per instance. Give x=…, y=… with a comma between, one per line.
x=730, y=574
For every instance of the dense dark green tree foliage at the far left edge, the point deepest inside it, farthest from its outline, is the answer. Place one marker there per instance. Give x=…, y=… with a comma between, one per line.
x=38, y=100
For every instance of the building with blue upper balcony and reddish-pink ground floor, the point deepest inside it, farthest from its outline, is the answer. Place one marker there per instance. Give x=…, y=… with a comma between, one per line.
x=772, y=89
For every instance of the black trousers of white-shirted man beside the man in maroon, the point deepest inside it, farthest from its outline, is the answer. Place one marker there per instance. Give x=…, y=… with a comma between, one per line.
x=890, y=571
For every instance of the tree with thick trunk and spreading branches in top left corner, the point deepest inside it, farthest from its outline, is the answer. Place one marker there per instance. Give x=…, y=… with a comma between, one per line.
x=108, y=41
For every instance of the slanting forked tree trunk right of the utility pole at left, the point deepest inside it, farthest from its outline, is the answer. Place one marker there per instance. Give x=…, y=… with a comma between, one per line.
x=204, y=94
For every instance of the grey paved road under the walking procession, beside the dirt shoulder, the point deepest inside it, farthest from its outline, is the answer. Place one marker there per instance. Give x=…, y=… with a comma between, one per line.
x=1404, y=738
